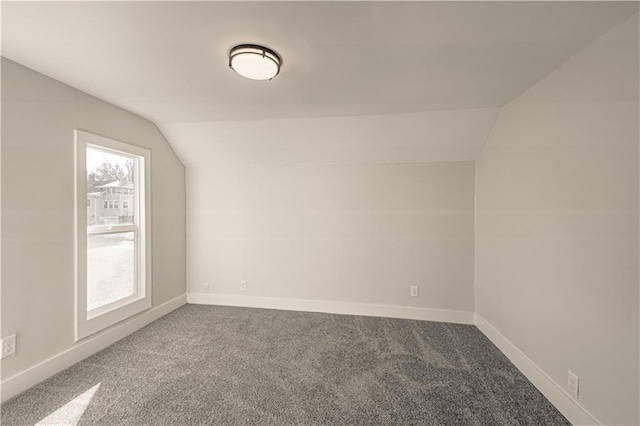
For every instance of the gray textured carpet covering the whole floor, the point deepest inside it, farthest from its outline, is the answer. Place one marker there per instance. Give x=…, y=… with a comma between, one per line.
x=224, y=365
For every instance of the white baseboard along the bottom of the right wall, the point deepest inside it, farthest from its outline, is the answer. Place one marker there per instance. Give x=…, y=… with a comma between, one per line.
x=568, y=406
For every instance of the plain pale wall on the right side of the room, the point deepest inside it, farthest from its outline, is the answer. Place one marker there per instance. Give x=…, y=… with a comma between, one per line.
x=557, y=225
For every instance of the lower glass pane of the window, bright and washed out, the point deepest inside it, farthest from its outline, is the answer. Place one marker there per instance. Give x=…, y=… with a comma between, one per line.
x=110, y=268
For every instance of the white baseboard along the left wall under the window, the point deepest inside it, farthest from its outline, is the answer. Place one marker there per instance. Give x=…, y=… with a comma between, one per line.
x=30, y=377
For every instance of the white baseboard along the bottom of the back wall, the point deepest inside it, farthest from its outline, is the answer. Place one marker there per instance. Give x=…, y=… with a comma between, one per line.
x=333, y=307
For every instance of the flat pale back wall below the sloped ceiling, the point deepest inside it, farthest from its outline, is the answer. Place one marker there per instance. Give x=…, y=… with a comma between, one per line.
x=350, y=232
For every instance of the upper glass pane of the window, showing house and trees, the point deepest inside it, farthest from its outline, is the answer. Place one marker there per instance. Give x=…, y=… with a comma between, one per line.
x=110, y=182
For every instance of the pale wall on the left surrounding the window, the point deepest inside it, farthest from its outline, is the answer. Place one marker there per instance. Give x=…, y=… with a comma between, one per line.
x=39, y=116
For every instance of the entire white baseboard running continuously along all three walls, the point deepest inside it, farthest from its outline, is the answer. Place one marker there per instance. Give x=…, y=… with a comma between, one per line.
x=568, y=406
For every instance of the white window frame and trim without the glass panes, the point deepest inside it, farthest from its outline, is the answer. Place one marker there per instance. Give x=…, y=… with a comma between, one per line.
x=88, y=323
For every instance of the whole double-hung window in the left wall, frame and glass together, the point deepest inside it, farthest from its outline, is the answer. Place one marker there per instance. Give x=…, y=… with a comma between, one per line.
x=113, y=253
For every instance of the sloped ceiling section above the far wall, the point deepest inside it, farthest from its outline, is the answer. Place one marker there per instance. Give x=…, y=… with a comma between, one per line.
x=456, y=135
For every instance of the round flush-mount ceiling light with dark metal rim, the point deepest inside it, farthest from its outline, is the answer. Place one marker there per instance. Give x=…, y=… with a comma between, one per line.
x=254, y=62
